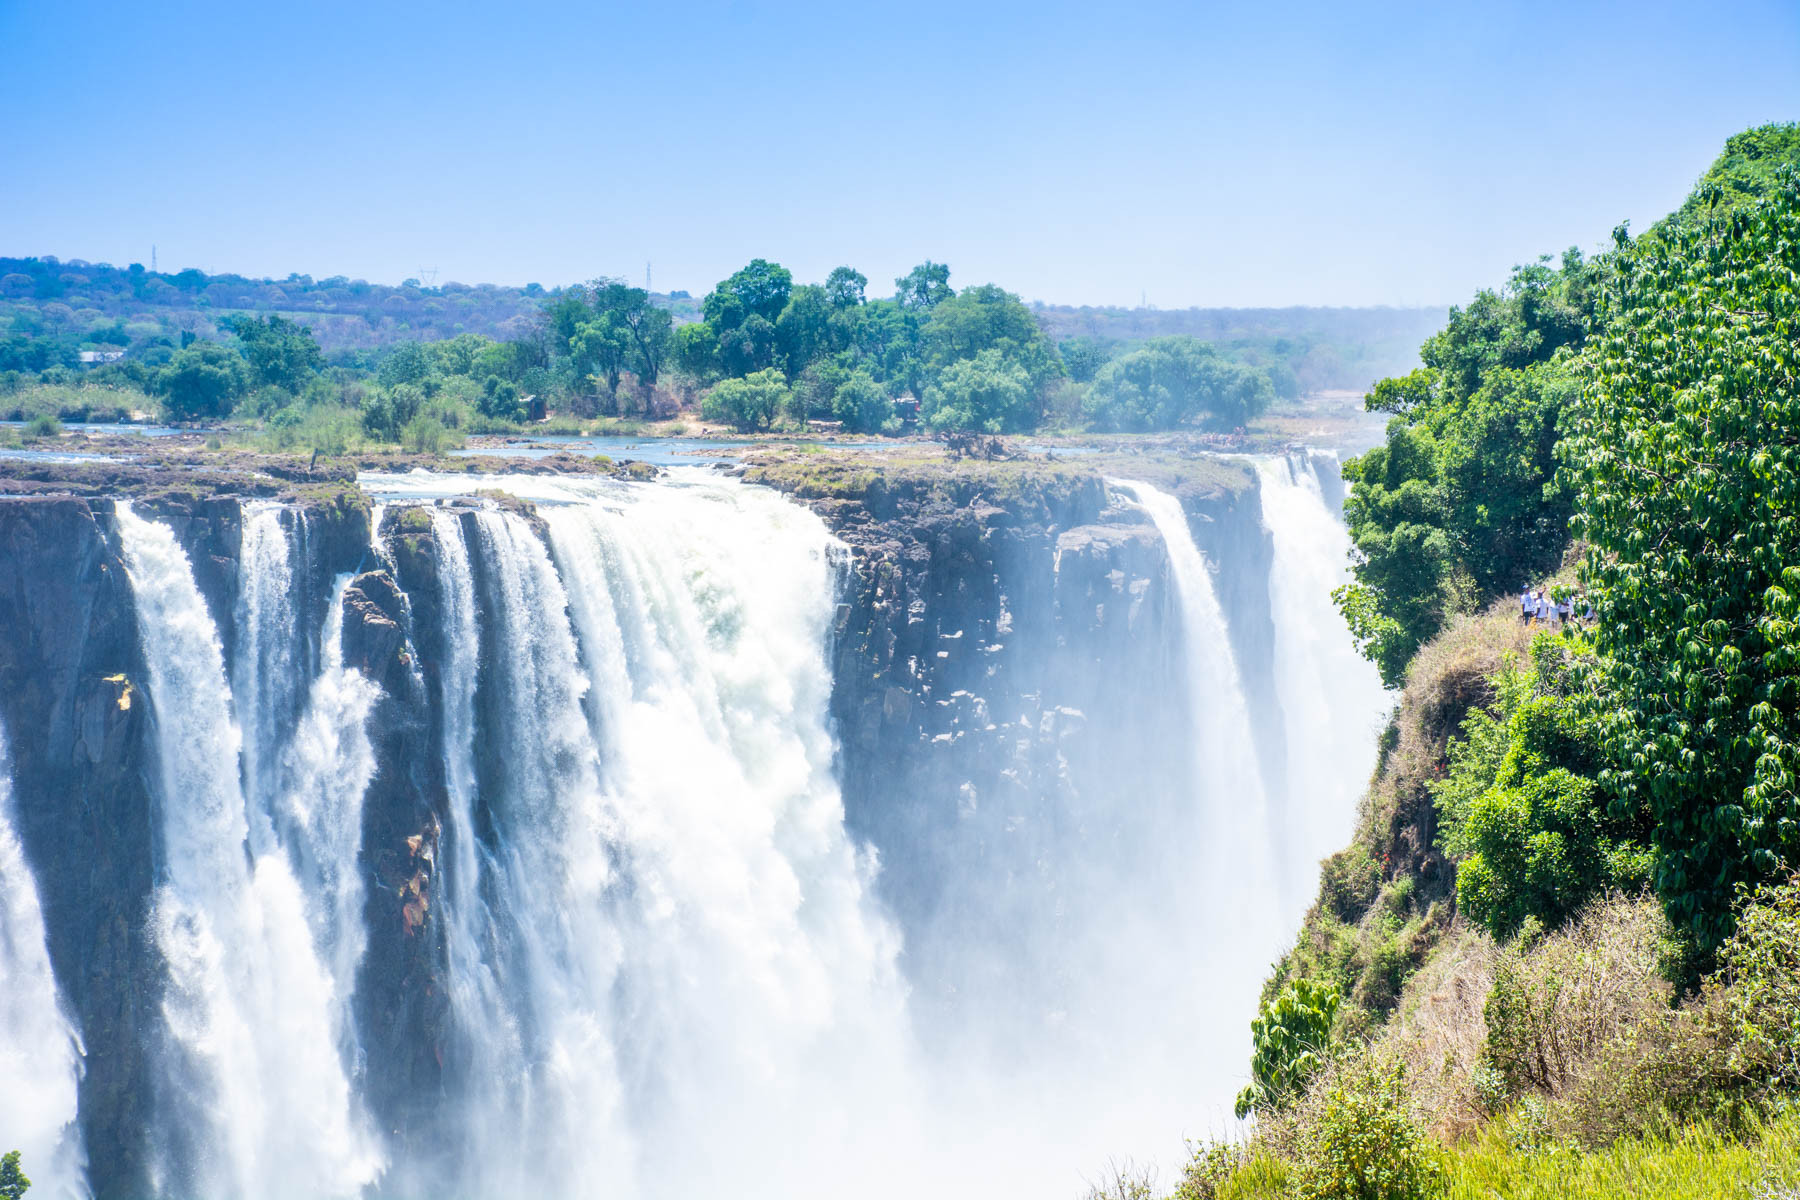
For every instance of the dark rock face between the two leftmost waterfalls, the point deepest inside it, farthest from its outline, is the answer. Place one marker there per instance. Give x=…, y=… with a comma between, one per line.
x=80, y=730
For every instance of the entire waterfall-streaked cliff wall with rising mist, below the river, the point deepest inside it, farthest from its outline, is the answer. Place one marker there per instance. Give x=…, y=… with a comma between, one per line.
x=571, y=834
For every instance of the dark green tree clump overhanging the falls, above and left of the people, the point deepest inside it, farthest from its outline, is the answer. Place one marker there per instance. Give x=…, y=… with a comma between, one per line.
x=1462, y=501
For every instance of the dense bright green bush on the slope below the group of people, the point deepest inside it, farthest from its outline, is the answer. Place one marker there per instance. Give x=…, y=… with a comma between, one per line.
x=1520, y=807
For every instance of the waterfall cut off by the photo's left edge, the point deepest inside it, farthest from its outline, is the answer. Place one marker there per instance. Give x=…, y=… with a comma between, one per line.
x=40, y=1053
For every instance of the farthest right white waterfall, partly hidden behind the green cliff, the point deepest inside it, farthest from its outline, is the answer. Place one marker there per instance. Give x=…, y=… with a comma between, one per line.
x=1333, y=703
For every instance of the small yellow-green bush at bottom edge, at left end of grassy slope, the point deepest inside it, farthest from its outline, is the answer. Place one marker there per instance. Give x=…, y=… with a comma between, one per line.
x=1365, y=1143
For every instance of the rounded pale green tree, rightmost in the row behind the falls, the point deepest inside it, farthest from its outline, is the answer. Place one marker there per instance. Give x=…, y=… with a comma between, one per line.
x=1171, y=382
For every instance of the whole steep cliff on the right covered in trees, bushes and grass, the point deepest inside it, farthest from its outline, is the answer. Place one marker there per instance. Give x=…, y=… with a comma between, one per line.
x=1567, y=935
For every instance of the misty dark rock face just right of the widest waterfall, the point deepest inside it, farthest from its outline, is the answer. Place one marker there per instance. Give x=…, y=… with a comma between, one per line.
x=1009, y=681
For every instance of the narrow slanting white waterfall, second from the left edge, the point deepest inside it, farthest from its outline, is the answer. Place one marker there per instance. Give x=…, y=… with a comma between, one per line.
x=256, y=1095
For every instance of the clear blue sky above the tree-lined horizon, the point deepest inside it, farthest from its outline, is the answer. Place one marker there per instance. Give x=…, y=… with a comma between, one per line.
x=1264, y=152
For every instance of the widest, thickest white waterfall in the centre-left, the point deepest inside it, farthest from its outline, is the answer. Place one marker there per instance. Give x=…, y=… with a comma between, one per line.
x=660, y=938
